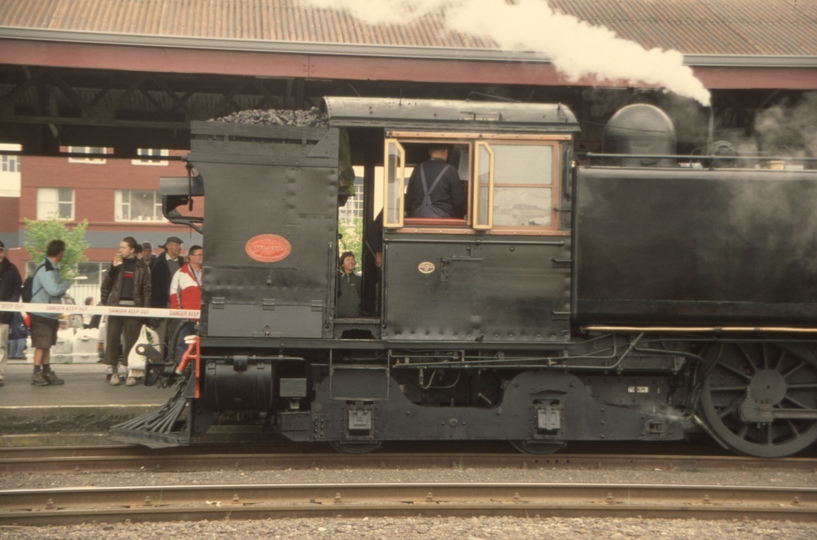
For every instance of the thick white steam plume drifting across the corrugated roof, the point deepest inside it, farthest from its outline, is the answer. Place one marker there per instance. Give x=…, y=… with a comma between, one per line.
x=575, y=47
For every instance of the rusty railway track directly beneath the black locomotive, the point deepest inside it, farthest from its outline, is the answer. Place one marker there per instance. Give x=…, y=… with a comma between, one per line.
x=119, y=458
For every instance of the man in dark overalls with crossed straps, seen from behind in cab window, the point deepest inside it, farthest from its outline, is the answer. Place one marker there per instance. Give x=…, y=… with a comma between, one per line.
x=434, y=189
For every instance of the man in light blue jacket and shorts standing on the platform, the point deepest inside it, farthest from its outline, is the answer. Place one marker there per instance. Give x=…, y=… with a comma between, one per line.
x=47, y=287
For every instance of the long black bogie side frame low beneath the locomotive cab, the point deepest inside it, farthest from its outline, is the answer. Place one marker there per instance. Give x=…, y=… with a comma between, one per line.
x=536, y=406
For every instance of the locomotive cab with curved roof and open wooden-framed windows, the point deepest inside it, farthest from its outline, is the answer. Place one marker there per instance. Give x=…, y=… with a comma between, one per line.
x=499, y=271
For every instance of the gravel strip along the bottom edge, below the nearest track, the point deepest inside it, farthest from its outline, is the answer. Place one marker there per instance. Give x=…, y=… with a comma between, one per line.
x=482, y=528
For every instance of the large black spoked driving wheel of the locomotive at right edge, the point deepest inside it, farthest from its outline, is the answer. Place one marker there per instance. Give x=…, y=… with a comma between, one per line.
x=784, y=377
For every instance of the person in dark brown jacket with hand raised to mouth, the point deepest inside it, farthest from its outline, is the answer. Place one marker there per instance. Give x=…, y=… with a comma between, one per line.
x=127, y=283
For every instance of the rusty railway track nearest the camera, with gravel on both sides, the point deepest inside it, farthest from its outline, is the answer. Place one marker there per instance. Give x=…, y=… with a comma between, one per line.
x=65, y=506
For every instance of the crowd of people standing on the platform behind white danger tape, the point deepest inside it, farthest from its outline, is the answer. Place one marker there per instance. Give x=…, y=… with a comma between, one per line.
x=136, y=277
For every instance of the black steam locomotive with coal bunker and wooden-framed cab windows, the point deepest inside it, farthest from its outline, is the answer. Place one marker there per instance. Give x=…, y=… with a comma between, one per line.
x=640, y=296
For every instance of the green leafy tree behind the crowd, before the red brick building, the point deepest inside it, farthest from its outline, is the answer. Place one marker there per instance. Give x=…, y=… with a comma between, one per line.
x=40, y=233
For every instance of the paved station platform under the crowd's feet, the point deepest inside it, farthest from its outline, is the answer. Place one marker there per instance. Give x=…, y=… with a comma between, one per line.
x=85, y=404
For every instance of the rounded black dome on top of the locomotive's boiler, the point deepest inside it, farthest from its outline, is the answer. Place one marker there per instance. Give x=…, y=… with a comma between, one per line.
x=642, y=130
